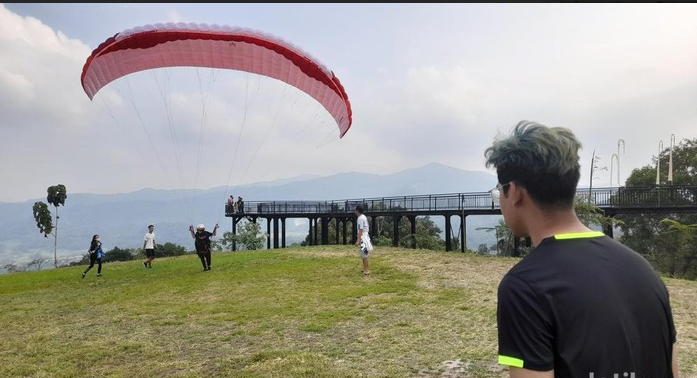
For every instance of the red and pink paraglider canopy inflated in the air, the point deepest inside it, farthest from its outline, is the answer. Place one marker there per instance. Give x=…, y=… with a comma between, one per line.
x=213, y=46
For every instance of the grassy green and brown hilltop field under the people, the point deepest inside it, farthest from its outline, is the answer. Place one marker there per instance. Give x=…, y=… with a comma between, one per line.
x=296, y=312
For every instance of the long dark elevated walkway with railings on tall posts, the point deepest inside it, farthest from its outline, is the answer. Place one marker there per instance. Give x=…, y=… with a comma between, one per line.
x=613, y=201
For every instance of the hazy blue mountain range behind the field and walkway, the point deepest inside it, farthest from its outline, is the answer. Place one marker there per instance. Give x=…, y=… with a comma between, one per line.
x=122, y=219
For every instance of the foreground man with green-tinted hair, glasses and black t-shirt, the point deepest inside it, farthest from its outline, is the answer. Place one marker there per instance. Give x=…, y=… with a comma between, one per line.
x=580, y=304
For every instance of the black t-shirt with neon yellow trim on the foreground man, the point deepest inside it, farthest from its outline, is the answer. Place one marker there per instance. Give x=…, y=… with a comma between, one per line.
x=586, y=306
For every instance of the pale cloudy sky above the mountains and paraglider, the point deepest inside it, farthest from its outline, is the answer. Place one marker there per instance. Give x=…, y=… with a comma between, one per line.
x=427, y=83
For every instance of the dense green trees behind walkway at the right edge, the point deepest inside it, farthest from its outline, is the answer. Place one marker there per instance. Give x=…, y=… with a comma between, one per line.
x=647, y=233
